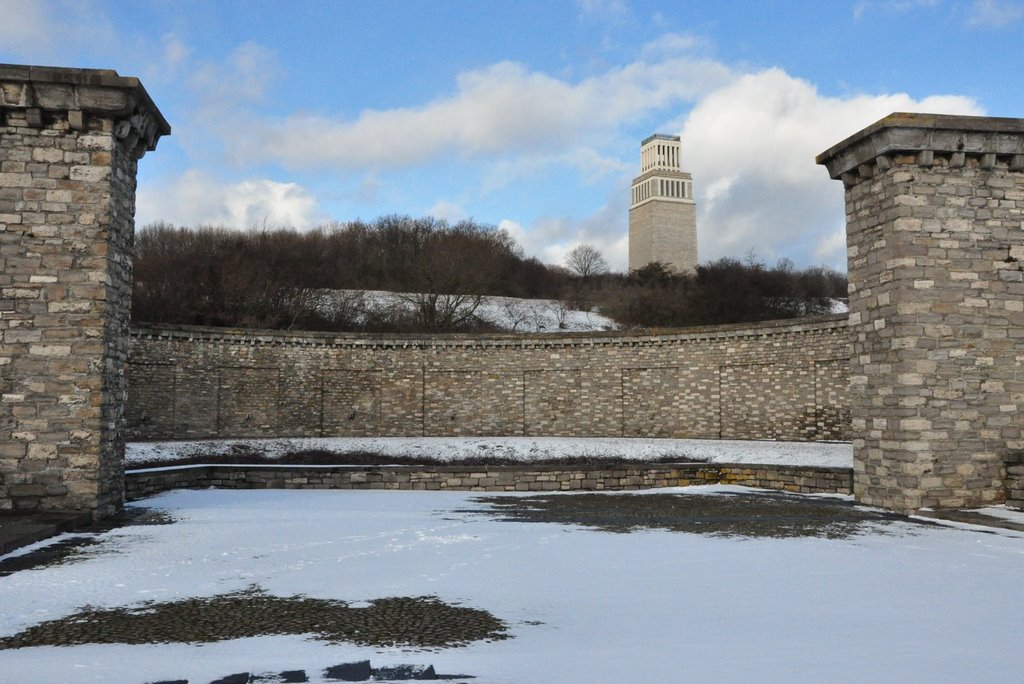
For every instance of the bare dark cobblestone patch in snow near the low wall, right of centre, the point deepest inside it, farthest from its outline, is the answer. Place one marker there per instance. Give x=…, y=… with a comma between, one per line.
x=750, y=516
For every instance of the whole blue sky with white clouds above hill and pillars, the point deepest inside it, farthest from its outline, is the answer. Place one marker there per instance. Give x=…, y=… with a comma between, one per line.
x=526, y=114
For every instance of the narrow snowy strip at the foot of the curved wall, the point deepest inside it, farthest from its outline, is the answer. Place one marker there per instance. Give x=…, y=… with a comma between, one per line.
x=518, y=449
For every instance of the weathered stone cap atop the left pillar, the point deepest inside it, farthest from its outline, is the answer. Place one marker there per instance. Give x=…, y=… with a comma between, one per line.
x=97, y=92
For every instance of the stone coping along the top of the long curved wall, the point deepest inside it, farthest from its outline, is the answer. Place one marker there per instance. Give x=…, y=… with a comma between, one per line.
x=527, y=340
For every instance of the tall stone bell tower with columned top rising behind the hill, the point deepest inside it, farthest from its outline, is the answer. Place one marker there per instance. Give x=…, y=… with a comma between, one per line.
x=663, y=215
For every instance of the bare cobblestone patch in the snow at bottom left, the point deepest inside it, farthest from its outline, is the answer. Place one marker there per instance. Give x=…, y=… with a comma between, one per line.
x=420, y=623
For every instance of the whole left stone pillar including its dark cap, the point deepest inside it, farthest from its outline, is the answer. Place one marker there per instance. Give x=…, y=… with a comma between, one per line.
x=70, y=143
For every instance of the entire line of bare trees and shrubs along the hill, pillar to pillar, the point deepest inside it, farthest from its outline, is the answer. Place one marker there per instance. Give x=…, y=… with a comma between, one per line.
x=282, y=279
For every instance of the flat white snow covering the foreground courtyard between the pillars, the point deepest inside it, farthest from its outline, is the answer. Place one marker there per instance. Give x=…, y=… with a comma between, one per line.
x=898, y=603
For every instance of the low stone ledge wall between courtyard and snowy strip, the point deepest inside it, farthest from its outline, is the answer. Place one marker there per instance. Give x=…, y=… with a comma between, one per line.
x=618, y=478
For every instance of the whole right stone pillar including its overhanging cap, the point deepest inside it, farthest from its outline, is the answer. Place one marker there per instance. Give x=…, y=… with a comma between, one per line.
x=935, y=235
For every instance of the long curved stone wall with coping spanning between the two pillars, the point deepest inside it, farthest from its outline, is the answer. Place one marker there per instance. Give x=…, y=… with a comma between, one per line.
x=783, y=380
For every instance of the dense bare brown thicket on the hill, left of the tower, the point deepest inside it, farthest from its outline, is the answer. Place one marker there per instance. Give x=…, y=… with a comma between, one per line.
x=282, y=279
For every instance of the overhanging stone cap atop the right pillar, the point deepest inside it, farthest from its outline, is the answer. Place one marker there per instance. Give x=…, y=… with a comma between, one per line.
x=905, y=133
